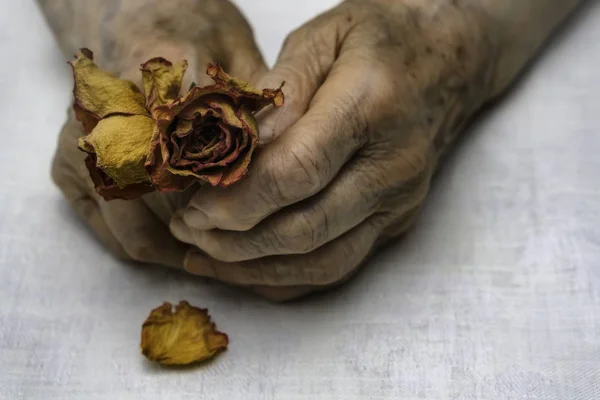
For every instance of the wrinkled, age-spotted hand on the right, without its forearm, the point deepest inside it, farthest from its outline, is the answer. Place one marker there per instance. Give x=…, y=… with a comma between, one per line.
x=375, y=91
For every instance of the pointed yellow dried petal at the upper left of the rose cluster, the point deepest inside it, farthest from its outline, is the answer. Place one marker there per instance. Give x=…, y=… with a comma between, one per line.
x=99, y=94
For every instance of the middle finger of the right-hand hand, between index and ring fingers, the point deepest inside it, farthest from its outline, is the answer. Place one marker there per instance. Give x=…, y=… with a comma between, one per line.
x=357, y=193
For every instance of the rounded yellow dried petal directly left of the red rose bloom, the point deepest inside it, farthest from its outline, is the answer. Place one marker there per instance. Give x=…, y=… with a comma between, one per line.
x=121, y=144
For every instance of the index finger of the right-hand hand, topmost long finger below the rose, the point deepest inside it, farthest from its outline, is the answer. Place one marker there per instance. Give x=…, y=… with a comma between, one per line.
x=295, y=166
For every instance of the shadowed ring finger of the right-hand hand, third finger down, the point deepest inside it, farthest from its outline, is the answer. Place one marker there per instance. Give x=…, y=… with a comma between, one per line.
x=321, y=267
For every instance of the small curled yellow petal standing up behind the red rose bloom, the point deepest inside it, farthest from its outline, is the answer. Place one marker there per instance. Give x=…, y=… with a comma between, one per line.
x=162, y=80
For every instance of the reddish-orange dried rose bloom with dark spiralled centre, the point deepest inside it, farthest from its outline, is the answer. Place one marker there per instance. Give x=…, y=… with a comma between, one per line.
x=208, y=134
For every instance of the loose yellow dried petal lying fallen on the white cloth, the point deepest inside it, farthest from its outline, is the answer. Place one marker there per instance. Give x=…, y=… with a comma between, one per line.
x=184, y=337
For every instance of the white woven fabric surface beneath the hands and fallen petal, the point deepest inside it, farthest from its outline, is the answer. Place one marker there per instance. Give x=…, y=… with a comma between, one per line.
x=494, y=295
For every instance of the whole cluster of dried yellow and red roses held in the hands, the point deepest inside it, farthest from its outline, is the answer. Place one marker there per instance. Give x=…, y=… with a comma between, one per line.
x=137, y=142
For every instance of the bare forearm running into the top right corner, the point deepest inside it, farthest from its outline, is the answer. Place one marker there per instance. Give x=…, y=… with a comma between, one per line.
x=522, y=27
